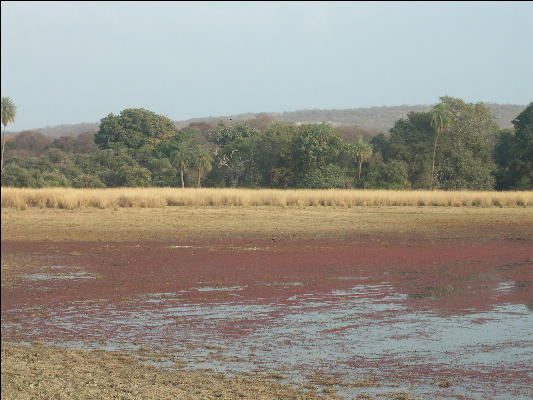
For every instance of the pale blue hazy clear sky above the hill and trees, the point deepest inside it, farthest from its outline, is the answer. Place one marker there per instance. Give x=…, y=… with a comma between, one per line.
x=72, y=62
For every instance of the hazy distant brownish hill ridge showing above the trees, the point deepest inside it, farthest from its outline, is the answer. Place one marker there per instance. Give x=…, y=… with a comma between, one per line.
x=372, y=119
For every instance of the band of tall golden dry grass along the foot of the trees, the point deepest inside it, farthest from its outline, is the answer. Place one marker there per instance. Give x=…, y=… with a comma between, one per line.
x=68, y=198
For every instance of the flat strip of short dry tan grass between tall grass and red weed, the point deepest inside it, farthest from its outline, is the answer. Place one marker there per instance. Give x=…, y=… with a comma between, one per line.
x=263, y=222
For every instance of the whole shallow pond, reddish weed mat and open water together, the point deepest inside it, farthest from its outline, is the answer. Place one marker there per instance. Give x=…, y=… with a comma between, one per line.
x=438, y=319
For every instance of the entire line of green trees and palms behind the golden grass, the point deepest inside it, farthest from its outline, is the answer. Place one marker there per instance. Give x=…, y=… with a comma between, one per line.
x=454, y=146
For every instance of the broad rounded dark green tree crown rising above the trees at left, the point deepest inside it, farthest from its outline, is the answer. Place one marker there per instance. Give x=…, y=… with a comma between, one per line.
x=133, y=129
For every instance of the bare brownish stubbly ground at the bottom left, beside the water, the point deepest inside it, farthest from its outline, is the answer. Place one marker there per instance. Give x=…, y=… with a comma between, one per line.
x=38, y=372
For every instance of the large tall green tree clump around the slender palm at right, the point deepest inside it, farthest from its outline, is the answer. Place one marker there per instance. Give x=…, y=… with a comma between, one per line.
x=462, y=159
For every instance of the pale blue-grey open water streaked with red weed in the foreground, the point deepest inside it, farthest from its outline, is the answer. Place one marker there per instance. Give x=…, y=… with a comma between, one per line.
x=367, y=331
